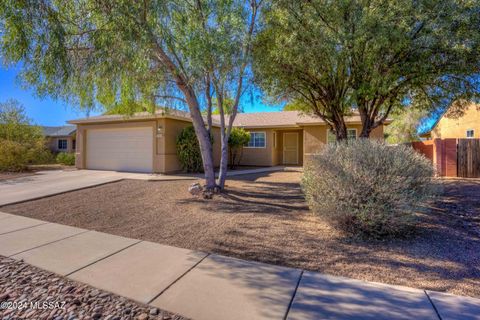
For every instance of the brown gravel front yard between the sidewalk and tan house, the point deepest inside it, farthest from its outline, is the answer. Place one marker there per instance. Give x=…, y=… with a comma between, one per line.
x=264, y=217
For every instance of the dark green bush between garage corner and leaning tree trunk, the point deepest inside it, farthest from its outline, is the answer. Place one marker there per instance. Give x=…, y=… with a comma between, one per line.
x=188, y=151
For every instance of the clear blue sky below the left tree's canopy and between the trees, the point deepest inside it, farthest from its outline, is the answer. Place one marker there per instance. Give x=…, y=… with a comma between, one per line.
x=49, y=112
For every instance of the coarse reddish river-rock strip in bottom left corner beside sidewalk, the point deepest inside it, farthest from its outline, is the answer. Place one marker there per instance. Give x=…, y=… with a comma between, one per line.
x=27, y=292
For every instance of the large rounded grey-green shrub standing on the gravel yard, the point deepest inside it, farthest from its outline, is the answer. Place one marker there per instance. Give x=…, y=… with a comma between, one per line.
x=368, y=188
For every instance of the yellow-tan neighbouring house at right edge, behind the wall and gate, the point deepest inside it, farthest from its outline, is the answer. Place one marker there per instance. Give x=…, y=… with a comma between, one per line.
x=456, y=122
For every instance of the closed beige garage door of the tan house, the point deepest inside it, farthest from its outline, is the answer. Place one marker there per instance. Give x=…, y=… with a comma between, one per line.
x=123, y=149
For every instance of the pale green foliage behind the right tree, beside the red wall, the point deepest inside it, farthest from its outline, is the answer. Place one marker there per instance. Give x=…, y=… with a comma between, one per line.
x=405, y=125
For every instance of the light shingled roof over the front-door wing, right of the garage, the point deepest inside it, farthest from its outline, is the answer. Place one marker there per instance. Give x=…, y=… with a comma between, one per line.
x=283, y=119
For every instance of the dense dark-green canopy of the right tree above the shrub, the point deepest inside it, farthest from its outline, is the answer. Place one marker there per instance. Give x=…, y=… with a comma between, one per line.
x=375, y=56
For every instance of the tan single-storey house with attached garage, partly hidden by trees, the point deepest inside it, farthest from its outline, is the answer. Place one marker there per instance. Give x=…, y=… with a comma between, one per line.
x=146, y=142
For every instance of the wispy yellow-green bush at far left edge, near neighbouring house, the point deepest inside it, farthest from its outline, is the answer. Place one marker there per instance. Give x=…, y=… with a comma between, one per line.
x=21, y=143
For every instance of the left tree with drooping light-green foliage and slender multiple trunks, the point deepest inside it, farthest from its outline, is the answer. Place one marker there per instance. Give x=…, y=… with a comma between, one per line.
x=129, y=56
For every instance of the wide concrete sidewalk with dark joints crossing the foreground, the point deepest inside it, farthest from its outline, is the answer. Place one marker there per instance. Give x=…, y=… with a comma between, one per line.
x=207, y=286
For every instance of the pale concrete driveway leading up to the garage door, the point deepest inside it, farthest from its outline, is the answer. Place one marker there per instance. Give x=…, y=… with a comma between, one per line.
x=46, y=183
